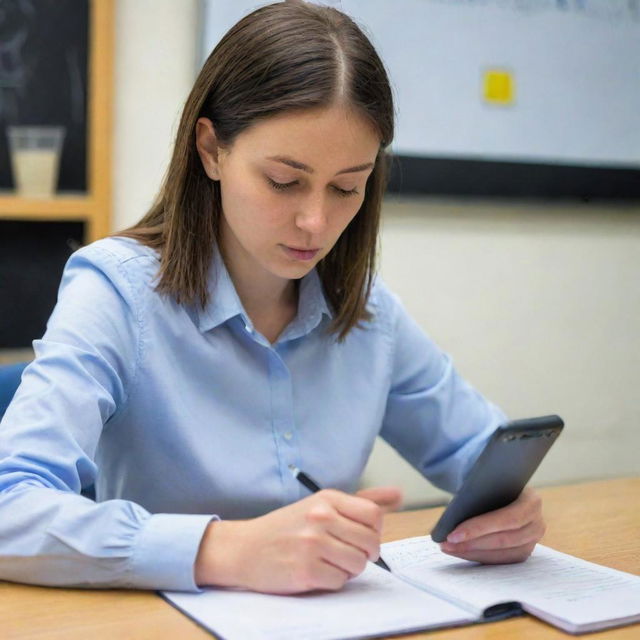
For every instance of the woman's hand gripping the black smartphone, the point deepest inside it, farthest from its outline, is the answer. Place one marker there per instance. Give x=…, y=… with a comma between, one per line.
x=502, y=536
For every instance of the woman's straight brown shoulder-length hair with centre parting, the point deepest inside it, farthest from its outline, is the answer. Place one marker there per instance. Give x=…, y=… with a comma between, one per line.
x=284, y=56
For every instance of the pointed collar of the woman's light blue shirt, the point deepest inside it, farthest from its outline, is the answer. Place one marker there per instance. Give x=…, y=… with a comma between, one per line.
x=225, y=304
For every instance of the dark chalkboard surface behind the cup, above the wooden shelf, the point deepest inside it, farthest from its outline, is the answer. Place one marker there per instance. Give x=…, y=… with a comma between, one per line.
x=43, y=78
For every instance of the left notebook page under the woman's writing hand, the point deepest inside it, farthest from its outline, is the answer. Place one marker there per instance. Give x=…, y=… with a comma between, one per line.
x=374, y=604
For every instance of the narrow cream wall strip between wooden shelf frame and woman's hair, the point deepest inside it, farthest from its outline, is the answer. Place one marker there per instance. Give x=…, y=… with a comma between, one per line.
x=154, y=70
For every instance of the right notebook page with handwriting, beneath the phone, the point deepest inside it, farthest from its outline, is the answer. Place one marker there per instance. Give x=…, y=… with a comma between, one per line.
x=574, y=593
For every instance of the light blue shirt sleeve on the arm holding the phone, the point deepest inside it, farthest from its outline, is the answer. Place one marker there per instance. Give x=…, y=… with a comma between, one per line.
x=434, y=418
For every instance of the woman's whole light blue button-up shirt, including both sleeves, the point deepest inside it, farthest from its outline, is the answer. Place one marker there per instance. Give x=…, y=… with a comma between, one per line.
x=179, y=415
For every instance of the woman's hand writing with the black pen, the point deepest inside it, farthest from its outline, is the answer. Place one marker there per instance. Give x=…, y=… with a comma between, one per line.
x=317, y=543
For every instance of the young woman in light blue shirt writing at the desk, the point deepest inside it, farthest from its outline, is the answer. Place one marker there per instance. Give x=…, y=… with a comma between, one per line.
x=236, y=331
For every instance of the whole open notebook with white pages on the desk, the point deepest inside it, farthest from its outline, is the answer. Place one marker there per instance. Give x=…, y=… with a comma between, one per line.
x=426, y=590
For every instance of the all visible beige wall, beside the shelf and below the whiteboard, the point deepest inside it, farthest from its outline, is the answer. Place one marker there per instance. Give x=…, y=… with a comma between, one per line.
x=537, y=303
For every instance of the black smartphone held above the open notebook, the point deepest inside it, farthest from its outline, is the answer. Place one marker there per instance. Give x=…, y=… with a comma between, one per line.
x=501, y=472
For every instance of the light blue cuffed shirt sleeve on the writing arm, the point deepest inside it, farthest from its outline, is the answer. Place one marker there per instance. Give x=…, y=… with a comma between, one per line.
x=85, y=366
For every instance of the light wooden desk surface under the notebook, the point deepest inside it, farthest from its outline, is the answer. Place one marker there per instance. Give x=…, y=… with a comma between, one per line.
x=598, y=521
